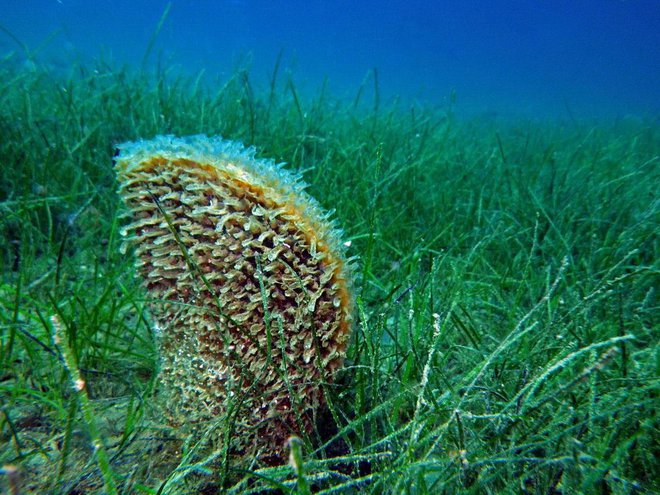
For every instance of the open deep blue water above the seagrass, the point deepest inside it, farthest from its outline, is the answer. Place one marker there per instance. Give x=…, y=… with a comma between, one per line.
x=532, y=58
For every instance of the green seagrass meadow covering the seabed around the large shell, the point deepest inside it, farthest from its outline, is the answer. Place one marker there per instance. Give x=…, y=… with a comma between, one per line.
x=505, y=328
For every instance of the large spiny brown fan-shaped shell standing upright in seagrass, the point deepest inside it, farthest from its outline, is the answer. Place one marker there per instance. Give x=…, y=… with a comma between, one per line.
x=248, y=286
